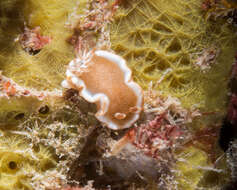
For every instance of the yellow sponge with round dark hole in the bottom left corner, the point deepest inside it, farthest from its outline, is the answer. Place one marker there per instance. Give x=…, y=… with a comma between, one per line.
x=18, y=162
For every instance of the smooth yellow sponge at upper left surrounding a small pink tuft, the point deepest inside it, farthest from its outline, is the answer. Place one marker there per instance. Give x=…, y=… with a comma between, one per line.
x=46, y=69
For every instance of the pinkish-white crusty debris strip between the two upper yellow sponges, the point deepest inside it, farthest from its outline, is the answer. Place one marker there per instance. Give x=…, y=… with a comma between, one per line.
x=92, y=28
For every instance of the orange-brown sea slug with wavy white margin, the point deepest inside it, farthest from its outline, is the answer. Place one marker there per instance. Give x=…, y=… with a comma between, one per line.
x=103, y=78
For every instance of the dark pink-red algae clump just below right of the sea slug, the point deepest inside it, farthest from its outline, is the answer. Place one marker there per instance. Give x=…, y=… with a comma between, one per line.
x=155, y=136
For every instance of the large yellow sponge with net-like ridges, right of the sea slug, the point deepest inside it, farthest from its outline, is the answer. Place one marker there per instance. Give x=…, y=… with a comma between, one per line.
x=161, y=41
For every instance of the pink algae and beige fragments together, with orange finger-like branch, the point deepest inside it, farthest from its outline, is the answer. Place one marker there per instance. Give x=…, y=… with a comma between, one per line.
x=165, y=129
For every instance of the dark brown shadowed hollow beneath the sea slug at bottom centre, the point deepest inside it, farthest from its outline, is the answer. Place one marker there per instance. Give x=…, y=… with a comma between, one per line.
x=105, y=172
